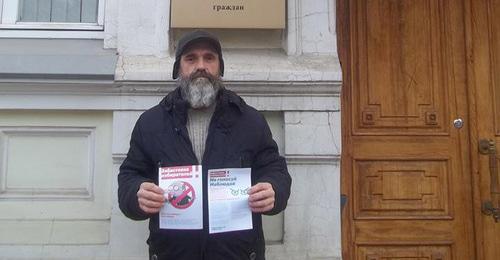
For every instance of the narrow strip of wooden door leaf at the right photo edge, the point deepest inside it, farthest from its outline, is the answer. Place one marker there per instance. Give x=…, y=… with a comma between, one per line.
x=485, y=99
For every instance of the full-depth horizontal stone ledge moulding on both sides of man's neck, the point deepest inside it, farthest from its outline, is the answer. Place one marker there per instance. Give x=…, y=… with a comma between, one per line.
x=141, y=95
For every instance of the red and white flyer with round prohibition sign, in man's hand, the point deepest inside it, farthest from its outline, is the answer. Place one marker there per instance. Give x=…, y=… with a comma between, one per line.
x=183, y=208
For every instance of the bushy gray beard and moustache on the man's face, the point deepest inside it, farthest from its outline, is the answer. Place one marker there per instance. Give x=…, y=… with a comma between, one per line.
x=200, y=92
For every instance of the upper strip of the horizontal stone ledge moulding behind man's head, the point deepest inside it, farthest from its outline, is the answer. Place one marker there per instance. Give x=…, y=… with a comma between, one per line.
x=103, y=87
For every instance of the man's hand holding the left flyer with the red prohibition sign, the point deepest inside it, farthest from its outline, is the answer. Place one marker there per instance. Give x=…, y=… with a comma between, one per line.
x=150, y=197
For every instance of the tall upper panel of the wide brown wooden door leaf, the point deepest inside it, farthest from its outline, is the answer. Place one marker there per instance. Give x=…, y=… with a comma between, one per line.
x=400, y=87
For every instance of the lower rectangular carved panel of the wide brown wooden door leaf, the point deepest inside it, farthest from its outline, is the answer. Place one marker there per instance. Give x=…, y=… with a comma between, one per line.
x=390, y=189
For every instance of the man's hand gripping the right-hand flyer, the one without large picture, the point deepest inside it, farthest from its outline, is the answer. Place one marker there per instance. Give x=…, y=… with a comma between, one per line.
x=261, y=197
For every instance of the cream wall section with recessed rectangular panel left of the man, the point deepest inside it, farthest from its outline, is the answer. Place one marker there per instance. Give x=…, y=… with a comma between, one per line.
x=54, y=181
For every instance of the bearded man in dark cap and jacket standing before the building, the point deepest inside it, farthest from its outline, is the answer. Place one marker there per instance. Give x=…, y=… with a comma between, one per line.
x=202, y=123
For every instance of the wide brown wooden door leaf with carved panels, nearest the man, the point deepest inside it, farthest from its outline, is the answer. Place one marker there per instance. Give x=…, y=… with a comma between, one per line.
x=405, y=167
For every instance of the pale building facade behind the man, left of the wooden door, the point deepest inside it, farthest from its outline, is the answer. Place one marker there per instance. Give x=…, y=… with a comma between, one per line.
x=72, y=85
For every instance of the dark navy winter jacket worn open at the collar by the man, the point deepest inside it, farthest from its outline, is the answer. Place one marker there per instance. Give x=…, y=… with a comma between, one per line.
x=238, y=136
